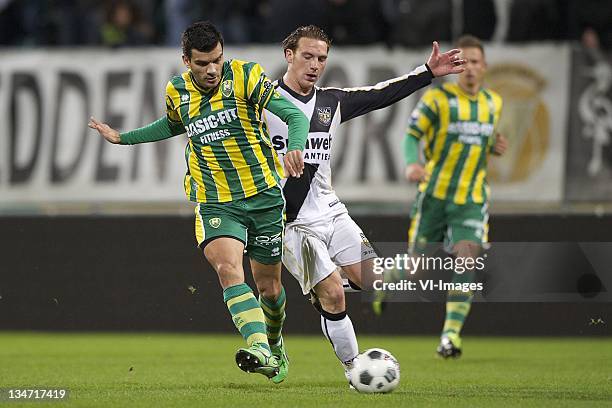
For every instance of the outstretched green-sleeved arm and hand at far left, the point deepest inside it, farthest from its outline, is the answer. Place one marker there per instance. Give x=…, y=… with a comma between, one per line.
x=161, y=129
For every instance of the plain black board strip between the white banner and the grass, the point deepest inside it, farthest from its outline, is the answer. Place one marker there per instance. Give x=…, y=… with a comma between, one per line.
x=135, y=274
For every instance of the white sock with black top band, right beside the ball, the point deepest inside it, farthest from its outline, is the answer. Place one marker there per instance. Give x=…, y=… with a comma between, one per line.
x=338, y=329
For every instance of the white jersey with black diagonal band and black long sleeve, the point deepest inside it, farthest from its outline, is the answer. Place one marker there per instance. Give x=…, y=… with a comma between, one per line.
x=311, y=198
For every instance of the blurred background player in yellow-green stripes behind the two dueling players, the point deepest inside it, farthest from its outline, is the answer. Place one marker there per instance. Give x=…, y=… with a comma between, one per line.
x=455, y=122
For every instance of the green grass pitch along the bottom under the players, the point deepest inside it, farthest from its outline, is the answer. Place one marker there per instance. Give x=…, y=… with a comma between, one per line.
x=154, y=370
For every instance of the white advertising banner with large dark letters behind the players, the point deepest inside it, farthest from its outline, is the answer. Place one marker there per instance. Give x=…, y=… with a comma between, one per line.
x=49, y=155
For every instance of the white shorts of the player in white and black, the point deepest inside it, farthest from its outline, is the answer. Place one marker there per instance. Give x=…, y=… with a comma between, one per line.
x=312, y=253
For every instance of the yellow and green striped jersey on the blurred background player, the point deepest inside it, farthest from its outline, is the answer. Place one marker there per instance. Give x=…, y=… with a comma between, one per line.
x=457, y=131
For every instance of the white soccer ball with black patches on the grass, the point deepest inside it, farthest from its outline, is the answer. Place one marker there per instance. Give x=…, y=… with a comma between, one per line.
x=375, y=370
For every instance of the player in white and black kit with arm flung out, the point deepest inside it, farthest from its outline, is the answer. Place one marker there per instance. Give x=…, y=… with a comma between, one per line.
x=321, y=239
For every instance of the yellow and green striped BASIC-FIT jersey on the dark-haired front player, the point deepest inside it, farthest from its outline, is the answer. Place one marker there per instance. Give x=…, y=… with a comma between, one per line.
x=229, y=154
